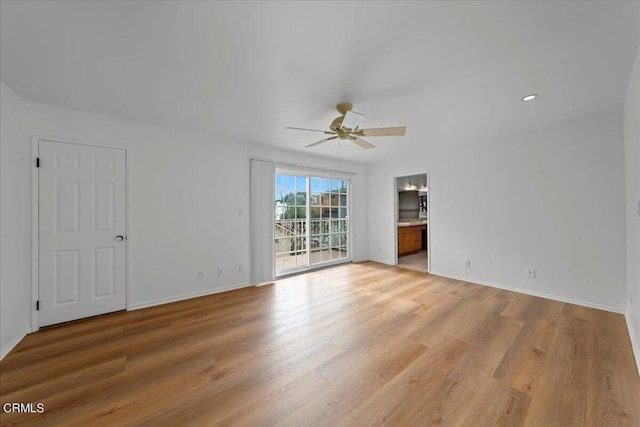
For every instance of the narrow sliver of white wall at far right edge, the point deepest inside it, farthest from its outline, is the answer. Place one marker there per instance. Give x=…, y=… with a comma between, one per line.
x=632, y=170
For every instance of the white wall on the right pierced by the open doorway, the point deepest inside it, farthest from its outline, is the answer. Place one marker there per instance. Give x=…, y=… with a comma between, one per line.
x=550, y=199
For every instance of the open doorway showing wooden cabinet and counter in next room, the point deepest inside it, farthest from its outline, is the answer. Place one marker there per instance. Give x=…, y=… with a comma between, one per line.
x=412, y=221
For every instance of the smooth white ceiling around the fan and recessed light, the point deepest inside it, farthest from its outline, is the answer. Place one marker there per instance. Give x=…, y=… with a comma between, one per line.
x=449, y=71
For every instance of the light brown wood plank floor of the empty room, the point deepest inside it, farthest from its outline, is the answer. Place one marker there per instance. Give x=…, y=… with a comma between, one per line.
x=356, y=345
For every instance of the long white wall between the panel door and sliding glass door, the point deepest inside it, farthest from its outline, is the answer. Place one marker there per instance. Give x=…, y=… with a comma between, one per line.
x=187, y=191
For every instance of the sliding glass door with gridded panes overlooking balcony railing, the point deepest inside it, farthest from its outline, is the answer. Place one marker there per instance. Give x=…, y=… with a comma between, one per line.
x=311, y=222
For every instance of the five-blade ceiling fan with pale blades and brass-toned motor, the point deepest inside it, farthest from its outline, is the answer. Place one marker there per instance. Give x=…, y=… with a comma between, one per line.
x=346, y=128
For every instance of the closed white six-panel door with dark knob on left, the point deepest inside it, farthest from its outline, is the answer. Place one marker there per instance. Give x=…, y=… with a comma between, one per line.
x=82, y=225
